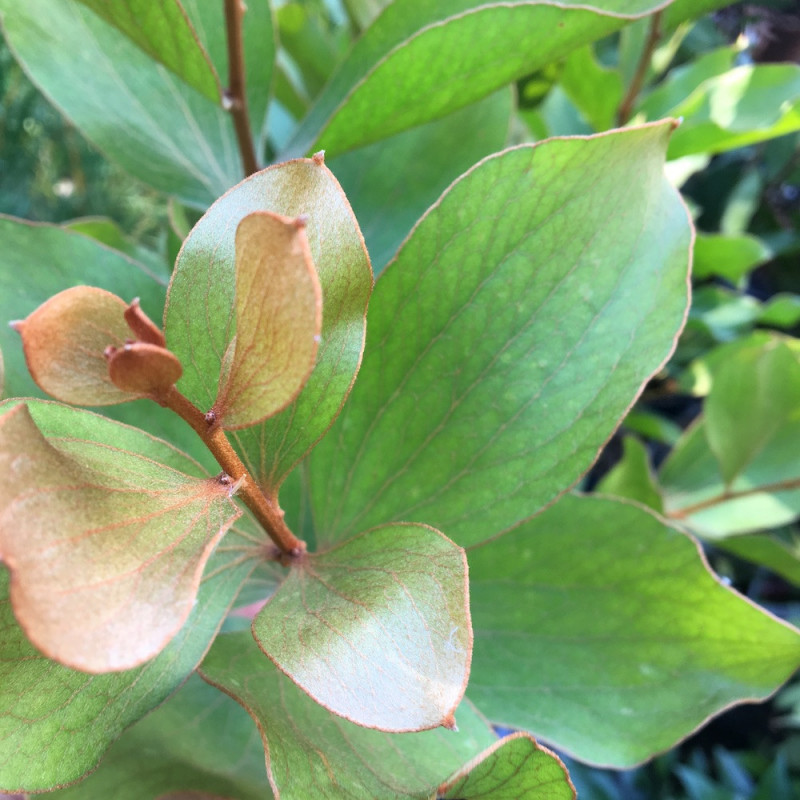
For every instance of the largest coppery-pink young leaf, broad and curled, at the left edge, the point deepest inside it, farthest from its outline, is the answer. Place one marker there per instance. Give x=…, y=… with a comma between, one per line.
x=106, y=548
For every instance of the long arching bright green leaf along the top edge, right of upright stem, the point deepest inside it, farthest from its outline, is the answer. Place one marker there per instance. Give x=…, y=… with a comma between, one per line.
x=419, y=62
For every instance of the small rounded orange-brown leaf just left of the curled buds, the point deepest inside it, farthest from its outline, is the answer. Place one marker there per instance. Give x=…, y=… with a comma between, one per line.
x=64, y=341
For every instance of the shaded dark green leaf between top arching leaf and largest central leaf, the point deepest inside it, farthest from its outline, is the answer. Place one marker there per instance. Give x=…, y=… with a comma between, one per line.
x=393, y=182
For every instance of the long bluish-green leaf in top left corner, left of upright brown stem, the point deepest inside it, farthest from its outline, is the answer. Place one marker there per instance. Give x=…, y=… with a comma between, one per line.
x=136, y=112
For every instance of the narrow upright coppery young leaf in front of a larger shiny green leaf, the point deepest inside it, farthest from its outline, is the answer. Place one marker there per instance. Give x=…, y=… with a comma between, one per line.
x=278, y=319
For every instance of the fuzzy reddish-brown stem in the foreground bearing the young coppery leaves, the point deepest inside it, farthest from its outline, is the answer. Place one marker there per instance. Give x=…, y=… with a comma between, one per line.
x=265, y=510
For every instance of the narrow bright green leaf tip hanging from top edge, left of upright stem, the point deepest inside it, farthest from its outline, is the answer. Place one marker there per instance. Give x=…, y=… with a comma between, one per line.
x=165, y=33
